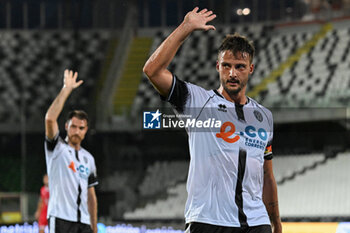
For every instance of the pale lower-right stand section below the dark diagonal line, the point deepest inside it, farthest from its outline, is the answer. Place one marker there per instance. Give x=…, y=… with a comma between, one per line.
x=320, y=192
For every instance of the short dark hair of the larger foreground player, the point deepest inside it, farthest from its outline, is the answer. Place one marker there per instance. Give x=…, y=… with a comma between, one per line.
x=237, y=43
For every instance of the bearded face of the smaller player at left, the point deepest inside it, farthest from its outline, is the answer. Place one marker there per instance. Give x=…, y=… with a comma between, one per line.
x=76, y=130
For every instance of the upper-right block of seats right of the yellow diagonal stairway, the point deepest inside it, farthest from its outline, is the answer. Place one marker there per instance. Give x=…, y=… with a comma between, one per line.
x=319, y=78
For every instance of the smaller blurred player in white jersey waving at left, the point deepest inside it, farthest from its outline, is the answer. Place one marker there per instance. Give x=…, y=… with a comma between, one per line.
x=71, y=169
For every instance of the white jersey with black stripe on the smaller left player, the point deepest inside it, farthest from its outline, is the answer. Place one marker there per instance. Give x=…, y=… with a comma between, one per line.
x=70, y=173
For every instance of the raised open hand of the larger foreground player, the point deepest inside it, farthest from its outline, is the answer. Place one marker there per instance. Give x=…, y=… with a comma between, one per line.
x=198, y=20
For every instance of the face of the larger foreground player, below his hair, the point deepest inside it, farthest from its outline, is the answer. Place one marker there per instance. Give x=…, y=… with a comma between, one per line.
x=234, y=71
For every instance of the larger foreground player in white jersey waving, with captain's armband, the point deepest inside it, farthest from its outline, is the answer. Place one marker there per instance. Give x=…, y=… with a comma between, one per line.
x=231, y=186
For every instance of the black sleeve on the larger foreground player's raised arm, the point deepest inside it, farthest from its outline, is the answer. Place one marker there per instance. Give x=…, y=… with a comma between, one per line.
x=178, y=94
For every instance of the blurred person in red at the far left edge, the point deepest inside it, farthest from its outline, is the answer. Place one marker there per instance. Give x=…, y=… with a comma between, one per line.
x=41, y=212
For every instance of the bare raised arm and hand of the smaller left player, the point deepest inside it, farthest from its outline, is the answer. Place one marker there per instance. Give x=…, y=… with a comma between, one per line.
x=69, y=84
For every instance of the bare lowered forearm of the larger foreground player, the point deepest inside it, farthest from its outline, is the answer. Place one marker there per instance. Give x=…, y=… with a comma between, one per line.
x=270, y=197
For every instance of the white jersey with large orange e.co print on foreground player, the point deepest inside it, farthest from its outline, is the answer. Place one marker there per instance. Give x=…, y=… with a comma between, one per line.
x=225, y=180
